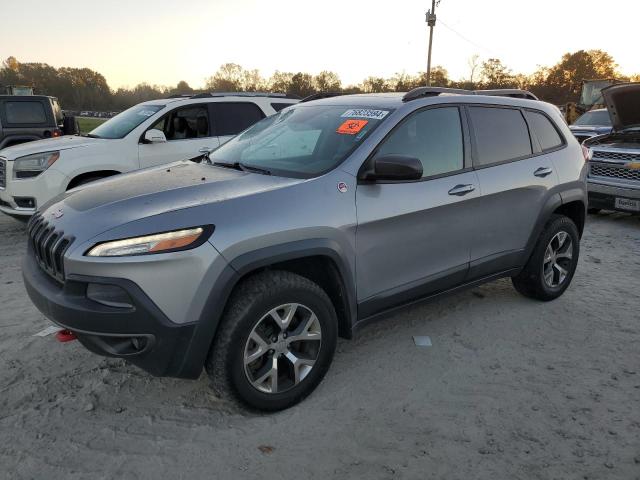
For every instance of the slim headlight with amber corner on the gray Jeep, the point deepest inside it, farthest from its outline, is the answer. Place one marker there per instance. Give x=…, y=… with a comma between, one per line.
x=158, y=243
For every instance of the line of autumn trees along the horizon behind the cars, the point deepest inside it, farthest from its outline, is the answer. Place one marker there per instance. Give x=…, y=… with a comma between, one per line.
x=85, y=89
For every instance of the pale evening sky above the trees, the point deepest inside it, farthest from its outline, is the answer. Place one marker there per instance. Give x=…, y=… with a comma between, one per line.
x=164, y=41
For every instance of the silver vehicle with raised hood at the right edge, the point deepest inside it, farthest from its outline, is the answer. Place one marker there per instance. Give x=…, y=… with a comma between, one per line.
x=614, y=158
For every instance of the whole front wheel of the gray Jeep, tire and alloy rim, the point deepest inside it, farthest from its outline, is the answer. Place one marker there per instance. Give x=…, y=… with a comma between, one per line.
x=275, y=342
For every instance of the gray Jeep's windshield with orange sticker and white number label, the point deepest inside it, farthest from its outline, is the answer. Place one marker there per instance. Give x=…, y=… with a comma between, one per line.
x=303, y=141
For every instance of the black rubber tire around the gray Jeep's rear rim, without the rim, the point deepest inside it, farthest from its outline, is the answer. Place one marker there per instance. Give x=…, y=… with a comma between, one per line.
x=531, y=282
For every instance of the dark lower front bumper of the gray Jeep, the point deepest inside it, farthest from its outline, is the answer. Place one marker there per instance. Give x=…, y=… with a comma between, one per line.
x=143, y=335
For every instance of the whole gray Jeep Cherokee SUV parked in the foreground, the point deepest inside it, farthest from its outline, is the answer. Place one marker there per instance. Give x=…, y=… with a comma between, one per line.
x=309, y=223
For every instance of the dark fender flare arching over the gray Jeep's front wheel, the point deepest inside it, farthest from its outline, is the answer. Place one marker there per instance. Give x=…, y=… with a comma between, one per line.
x=236, y=269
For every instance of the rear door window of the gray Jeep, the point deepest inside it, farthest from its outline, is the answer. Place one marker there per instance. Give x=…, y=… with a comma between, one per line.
x=501, y=135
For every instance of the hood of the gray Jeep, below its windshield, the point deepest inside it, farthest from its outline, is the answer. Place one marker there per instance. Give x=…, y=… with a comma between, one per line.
x=116, y=201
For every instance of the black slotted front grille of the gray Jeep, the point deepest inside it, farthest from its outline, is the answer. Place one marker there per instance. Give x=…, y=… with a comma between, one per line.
x=48, y=245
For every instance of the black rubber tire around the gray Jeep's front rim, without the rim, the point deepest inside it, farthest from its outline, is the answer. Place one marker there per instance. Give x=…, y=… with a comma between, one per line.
x=248, y=304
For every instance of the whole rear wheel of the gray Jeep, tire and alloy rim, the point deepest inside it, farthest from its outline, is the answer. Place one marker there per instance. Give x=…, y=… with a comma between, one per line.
x=553, y=262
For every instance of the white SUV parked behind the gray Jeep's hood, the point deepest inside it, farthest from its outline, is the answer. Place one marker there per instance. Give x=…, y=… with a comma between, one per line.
x=148, y=134
